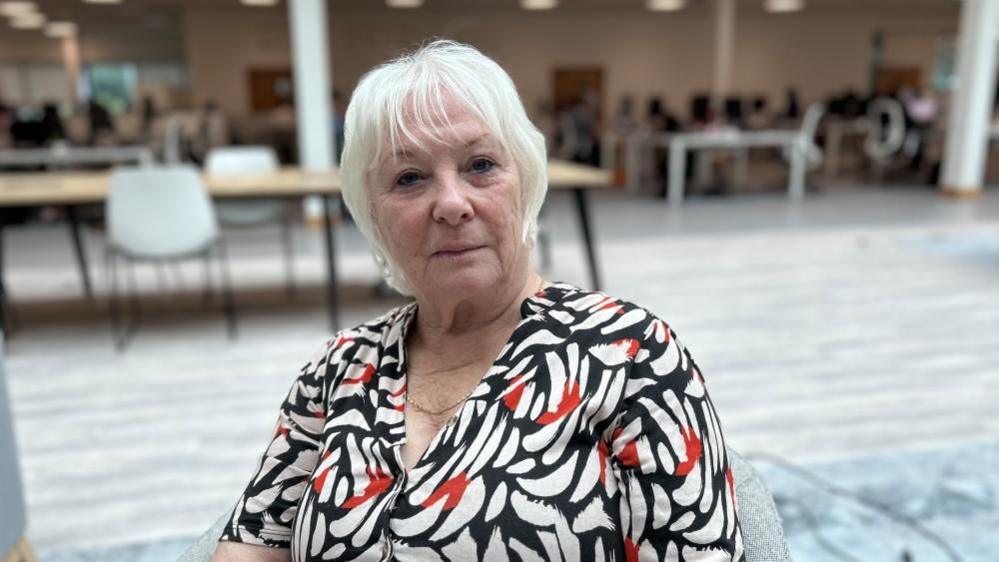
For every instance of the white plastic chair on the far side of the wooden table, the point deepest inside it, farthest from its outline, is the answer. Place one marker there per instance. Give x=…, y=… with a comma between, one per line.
x=247, y=214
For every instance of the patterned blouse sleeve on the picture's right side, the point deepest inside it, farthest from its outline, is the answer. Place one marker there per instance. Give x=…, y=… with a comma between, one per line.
x=677, y=490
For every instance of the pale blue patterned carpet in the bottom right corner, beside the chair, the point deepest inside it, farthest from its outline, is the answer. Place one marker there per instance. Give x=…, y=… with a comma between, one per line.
x=930, y=506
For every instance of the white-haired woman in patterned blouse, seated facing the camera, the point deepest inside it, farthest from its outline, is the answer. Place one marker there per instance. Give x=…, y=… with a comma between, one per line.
x=499, y=416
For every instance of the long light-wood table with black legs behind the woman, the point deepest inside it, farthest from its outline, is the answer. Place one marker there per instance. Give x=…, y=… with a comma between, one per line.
x=72, y=189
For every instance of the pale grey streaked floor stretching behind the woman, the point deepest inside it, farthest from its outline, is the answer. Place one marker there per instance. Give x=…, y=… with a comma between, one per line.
x=860, y=324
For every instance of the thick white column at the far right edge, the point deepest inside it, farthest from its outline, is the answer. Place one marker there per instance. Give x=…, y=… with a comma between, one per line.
x=971, y=106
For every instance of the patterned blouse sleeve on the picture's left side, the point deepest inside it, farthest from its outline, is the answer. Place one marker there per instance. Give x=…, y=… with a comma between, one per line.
x=266, y=511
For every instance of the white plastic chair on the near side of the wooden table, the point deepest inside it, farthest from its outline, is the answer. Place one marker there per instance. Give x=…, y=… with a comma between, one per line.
x=159, y=214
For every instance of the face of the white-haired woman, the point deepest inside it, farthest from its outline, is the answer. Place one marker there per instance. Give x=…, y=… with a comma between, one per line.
x=450, y=214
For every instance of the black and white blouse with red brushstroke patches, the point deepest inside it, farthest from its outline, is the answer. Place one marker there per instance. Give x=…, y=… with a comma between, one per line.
x=591, y=437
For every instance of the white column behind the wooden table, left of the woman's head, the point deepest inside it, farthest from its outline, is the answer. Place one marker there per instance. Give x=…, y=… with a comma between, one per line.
x=313, y=94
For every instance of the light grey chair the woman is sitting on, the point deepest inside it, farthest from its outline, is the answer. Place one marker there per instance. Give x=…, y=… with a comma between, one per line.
x=762, y=533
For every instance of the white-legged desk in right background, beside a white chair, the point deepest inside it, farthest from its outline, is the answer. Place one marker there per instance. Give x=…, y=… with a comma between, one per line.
x=732, y=139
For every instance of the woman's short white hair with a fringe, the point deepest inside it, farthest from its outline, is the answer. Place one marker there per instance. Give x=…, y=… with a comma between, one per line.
x=413, y=90
